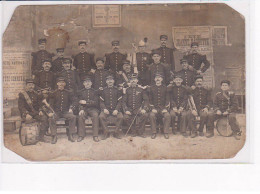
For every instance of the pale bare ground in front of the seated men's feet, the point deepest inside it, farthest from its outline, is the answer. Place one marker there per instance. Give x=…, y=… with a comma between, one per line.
x=176, y=147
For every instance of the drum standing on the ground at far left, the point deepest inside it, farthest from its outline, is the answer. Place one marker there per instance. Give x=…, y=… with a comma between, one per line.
x=29, y=133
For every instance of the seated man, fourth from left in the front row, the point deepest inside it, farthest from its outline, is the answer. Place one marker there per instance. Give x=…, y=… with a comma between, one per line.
x=111, y=106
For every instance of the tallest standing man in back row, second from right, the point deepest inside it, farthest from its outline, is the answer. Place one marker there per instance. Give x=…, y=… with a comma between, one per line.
x=167, y=56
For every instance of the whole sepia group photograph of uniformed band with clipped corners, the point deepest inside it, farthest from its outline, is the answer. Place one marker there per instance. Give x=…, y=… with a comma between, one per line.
x=124, y=82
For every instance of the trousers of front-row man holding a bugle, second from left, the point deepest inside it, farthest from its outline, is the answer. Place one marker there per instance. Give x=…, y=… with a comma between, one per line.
x=67, y=115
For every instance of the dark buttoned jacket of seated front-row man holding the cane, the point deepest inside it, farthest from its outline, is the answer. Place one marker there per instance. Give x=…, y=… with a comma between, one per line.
x=134, y=99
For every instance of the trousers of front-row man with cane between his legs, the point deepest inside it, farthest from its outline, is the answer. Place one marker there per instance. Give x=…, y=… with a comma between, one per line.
x=142, y=118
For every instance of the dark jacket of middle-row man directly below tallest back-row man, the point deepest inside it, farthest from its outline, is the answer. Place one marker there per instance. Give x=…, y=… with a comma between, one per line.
x=162, y=69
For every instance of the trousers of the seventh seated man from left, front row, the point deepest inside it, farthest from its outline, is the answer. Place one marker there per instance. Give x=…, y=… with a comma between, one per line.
x=185, y=122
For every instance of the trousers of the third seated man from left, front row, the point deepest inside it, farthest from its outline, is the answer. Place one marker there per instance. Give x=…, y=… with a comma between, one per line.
x=93, y=113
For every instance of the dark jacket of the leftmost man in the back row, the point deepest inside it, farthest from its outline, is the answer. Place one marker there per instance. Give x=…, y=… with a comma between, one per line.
x=38, y=58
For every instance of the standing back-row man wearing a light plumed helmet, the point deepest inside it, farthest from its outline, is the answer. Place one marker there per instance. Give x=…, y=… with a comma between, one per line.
x=143, y=60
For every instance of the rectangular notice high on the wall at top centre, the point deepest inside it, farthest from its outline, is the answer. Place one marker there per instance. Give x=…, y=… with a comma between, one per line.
x=106, y=16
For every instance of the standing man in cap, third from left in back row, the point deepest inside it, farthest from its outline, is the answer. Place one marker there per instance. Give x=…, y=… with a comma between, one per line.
x=84, y=62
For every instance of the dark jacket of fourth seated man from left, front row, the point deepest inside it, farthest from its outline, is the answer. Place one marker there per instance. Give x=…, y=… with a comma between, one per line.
x=111, y=99
